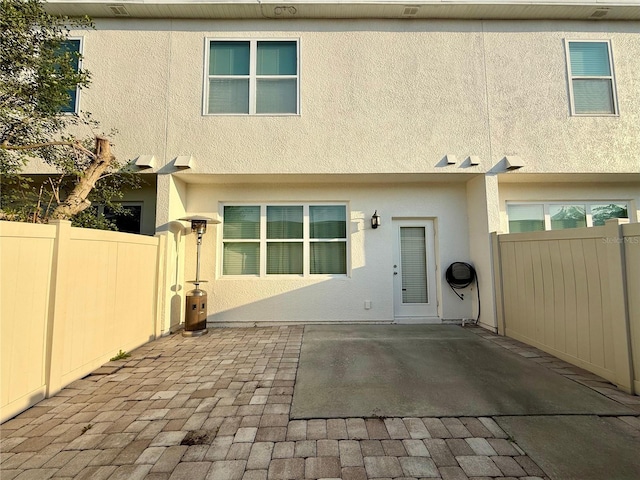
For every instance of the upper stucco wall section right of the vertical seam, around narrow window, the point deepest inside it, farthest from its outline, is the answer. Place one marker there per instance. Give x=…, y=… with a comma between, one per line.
x=529, y=99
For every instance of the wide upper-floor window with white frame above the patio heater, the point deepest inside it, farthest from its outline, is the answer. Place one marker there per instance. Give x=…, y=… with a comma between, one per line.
x=252, y=77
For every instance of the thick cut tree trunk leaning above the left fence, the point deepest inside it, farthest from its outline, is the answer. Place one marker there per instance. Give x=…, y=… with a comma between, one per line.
x=77, y=201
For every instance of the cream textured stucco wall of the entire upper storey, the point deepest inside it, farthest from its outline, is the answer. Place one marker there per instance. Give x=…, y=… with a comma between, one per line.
x=377, y=96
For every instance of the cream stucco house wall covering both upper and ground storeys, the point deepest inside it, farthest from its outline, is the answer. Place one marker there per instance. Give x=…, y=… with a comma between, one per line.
x=377, y=96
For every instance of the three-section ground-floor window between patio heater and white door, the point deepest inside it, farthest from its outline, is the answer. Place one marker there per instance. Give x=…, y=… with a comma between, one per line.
x=308, y=239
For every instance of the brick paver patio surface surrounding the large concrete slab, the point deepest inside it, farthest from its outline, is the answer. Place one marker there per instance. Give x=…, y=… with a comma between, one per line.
x=217, y=408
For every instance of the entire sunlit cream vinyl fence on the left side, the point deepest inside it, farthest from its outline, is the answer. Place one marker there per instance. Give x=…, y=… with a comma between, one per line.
x=71, y=298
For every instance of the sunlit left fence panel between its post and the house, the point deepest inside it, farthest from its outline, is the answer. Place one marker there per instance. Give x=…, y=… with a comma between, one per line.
x=111, y=300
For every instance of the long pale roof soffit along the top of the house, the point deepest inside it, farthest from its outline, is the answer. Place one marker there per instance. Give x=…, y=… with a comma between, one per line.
x=474, y=9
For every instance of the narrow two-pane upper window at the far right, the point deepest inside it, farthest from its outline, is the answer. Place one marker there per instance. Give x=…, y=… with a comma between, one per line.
x=591, y=80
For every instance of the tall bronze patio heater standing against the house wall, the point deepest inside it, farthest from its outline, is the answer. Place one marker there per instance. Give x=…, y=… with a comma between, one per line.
x=195, y=319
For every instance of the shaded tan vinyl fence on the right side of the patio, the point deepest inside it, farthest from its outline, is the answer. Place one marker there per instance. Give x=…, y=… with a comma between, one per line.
x=574, y=293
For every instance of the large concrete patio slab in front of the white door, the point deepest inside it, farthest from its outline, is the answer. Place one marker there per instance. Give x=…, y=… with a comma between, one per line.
x=427, y=370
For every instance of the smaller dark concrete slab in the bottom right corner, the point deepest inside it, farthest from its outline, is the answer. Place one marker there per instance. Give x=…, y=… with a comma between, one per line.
x=568, y=448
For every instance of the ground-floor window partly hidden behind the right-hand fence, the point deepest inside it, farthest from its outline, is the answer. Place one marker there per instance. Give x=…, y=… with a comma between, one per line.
x=532, y=217
